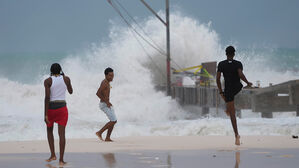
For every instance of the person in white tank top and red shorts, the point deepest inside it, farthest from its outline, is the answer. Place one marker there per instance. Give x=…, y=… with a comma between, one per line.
x=55, y=108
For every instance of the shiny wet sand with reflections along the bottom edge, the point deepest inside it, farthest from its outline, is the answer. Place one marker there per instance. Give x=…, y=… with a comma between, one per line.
x=272, y=158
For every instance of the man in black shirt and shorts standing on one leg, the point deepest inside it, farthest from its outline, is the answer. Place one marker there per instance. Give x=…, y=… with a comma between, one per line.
x=232, y=71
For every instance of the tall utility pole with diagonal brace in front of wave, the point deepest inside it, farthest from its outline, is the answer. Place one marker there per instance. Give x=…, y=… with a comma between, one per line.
x=168, y=87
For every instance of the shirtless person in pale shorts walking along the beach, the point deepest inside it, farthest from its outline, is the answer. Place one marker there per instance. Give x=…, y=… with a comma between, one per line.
x=105, y=105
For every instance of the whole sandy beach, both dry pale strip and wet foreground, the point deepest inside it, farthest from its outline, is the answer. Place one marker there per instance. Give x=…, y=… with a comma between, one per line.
x=158, y=151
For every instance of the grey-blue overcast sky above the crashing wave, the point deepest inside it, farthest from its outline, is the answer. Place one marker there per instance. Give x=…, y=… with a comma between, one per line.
x=69, y=25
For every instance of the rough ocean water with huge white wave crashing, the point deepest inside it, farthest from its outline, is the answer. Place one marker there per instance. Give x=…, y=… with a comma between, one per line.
x=141, y=110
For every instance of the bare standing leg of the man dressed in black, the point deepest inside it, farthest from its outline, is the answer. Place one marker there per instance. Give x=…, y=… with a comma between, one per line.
x=231, y=110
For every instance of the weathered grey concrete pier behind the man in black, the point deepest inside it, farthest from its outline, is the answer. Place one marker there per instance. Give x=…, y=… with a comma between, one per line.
x=282, y=97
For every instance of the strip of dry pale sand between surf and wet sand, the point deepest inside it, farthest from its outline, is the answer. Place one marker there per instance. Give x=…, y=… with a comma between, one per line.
x=163, y=143
